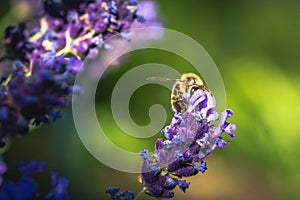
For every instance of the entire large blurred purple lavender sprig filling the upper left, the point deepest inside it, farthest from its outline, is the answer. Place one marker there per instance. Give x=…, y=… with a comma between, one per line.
x=48, y=52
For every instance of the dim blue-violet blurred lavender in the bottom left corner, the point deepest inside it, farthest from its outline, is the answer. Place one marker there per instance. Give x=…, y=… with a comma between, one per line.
x=26, y=187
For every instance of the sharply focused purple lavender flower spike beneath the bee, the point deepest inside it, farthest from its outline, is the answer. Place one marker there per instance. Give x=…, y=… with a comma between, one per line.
x=189, y=139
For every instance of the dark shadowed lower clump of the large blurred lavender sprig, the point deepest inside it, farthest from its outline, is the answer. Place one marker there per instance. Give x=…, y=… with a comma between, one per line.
x=37, y=98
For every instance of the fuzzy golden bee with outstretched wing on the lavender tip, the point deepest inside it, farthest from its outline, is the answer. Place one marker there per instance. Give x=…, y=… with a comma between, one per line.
x=183, y=89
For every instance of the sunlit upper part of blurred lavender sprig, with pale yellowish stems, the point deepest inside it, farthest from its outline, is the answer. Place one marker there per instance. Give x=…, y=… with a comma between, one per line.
x=69, y=27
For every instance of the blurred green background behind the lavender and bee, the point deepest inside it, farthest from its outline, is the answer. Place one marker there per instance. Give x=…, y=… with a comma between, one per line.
x=256, y=46
